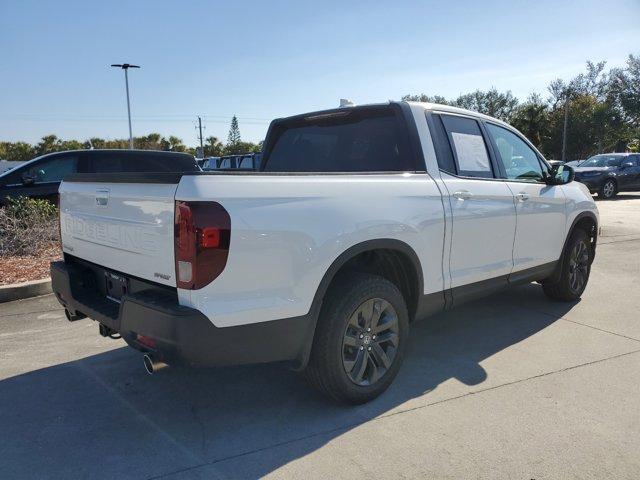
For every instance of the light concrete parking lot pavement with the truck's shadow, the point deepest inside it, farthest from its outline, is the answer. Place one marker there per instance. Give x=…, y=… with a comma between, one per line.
x=513, y=386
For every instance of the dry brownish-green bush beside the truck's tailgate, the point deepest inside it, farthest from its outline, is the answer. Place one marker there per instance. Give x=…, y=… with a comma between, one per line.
x=27, y=226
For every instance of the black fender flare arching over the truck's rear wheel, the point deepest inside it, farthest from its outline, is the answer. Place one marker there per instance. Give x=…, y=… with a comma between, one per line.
x=334, y=268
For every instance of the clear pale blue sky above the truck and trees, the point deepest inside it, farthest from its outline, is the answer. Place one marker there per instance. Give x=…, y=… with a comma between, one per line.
x=261, y=60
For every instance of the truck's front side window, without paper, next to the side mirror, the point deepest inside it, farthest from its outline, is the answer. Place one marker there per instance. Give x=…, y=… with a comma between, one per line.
x=519, y=160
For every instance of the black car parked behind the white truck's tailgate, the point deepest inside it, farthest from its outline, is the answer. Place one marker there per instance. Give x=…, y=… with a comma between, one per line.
x=41, y=177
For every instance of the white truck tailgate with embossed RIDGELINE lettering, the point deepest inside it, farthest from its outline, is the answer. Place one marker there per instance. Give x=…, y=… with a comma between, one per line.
x=127, y=227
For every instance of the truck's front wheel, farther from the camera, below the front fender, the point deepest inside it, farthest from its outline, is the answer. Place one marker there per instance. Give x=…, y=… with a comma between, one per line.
x=576, y=267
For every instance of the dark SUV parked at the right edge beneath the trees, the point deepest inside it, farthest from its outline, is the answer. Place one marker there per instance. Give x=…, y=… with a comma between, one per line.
x=610, y=173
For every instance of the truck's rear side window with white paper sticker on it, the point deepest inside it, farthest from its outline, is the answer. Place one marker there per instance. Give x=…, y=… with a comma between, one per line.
x=468, y=145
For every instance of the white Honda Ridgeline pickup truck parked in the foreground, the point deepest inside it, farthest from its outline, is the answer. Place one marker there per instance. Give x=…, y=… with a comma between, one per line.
x=360, y=221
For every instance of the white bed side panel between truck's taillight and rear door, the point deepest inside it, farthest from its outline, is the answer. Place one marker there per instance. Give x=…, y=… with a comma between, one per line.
x=286, y=231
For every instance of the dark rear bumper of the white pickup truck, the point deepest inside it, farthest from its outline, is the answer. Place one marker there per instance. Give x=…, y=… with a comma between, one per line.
x=181, y=335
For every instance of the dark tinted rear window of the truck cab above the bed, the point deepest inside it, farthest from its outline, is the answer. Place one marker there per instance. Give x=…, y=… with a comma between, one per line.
x=358, y=140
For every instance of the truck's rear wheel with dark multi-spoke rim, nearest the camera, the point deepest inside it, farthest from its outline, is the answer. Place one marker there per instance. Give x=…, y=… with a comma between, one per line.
x=342, y=344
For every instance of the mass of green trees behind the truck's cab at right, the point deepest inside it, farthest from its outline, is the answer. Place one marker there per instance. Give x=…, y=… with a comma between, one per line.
x=602, y=110
